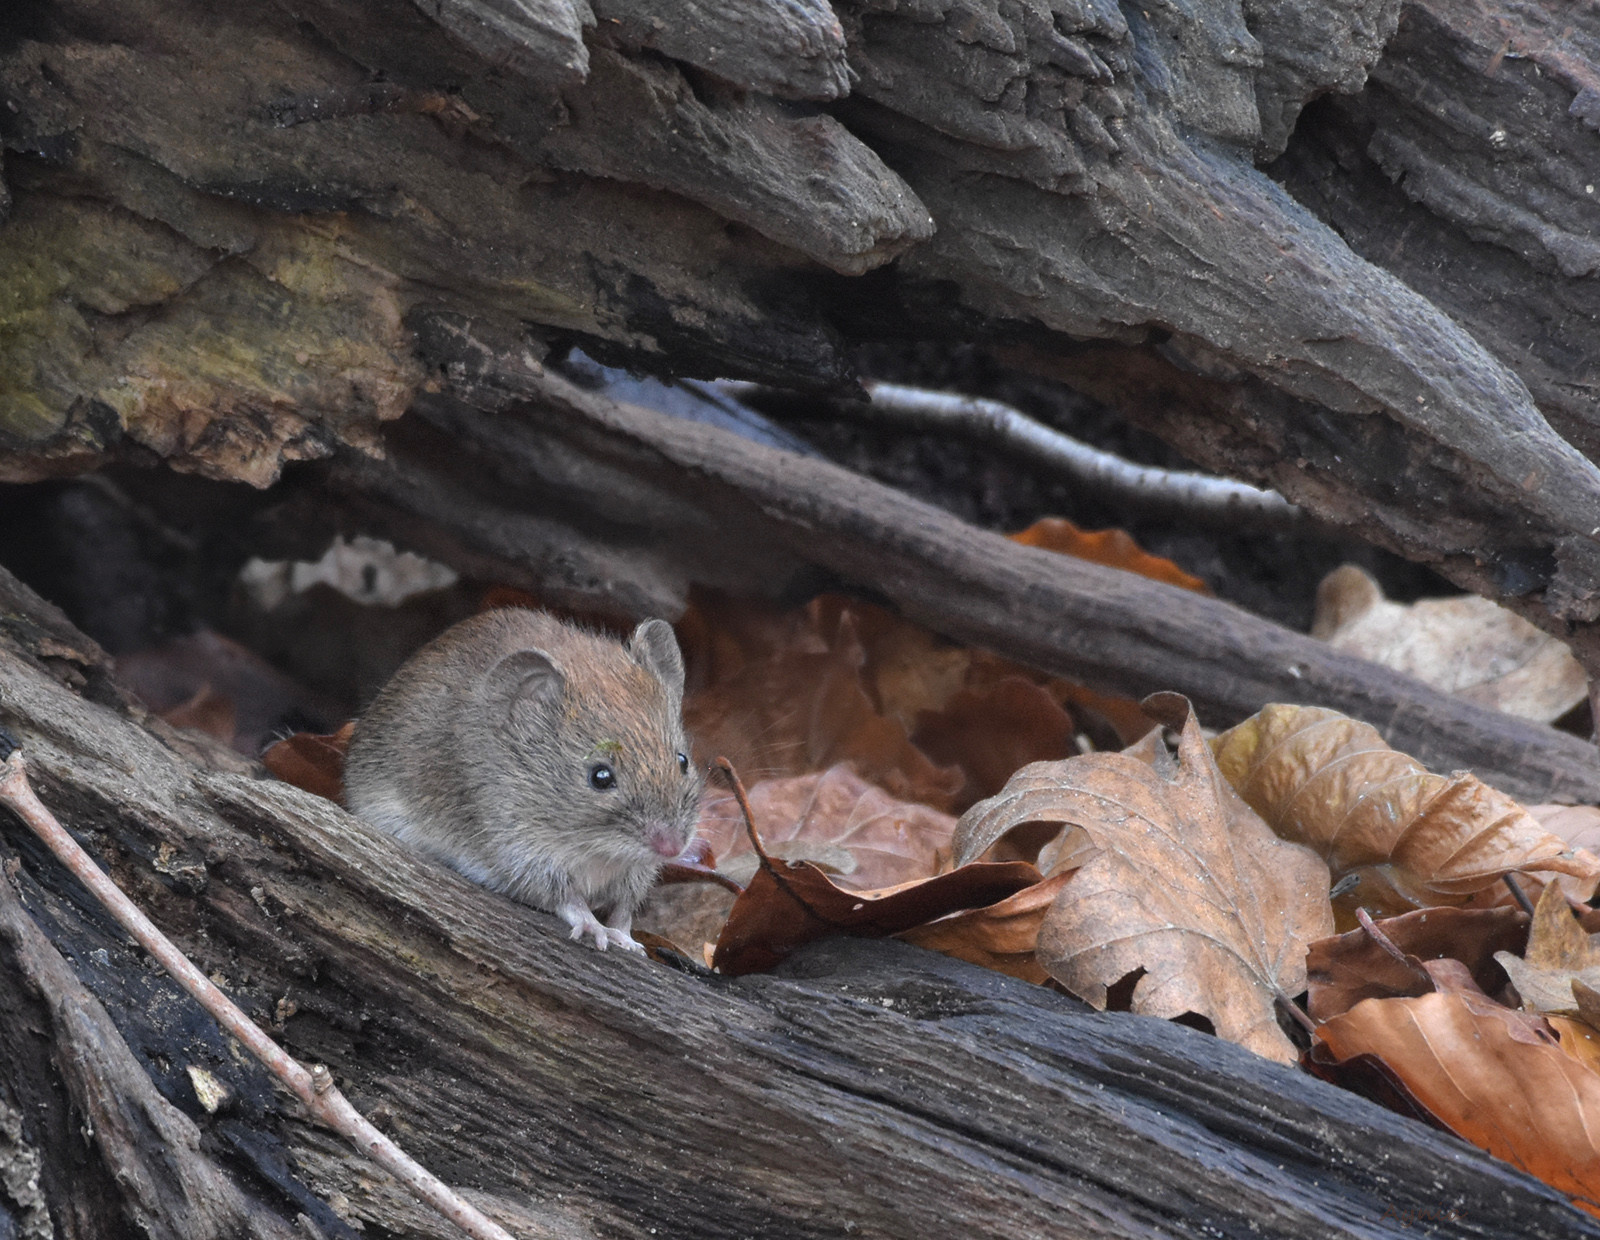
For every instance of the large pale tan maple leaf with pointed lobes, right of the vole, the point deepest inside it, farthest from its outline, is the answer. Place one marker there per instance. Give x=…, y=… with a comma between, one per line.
x=1188, y=886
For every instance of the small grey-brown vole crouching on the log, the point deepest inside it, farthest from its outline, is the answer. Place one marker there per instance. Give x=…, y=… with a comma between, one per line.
x=537, y=759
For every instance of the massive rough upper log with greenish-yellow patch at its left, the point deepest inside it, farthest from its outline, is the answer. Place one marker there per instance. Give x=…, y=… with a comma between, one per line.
x=1089, y=172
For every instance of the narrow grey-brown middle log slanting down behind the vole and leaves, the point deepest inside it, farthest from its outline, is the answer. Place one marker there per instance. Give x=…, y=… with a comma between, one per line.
x=582, y=500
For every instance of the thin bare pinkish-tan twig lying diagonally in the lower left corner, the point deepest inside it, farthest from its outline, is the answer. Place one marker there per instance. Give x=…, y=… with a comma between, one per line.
x=314, y=1089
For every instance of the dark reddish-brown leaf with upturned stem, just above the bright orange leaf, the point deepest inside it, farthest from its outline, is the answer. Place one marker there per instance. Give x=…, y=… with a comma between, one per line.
x=1346, y=969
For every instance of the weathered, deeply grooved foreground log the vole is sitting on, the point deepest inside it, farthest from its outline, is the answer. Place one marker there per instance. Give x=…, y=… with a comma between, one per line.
x=871, y=1090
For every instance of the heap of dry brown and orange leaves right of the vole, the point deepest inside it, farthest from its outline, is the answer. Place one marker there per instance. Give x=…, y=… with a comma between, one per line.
x=1191, y=884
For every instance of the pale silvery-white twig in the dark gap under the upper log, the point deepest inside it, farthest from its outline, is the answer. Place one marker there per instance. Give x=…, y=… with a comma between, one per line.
x=1148, y=487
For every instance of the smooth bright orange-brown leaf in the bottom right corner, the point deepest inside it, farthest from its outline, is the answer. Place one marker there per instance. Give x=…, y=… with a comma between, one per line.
x=1492, y=1076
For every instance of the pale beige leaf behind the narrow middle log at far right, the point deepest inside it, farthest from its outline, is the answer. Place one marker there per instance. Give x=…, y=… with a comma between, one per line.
x=1468, y=646
